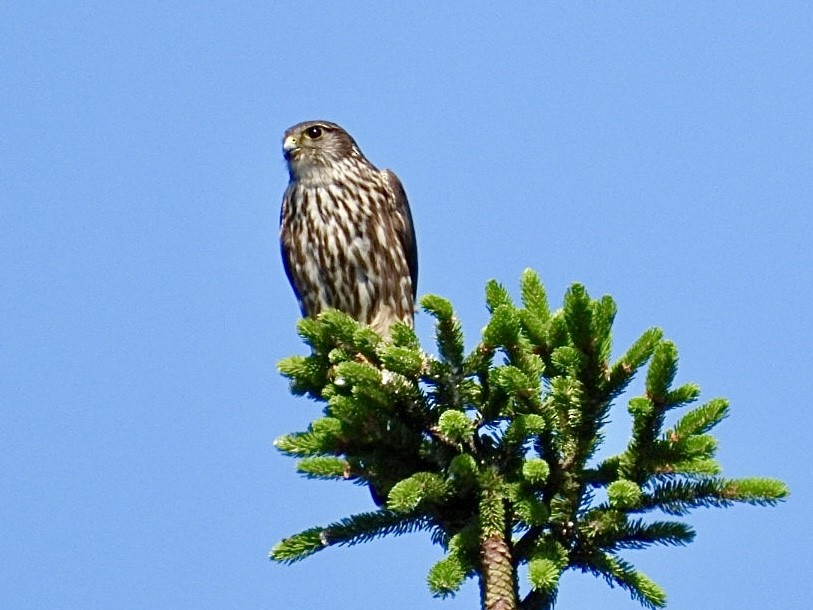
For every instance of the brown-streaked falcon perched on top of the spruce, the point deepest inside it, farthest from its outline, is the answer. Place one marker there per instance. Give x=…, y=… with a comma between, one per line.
x=346, y=231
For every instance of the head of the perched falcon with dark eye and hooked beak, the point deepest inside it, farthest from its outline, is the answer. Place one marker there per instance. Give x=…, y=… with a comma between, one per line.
x=315, y=145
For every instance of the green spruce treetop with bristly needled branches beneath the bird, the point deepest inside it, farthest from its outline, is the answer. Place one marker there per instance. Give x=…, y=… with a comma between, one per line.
x=492, y=451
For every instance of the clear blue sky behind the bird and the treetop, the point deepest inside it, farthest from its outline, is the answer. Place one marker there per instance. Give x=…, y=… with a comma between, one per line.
x=658, y=152
